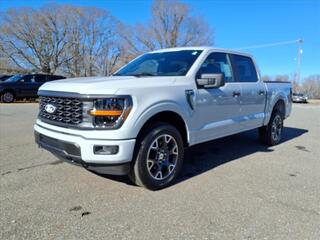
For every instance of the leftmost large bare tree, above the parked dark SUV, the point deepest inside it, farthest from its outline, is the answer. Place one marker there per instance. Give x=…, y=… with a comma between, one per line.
x=34, y=39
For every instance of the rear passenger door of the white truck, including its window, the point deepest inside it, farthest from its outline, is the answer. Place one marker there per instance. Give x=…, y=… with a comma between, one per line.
x=253, y=95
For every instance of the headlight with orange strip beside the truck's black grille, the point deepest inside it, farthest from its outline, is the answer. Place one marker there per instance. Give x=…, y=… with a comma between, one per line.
x=110, y=112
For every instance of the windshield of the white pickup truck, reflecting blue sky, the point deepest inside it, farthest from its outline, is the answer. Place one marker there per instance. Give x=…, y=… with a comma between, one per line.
x=176, y=63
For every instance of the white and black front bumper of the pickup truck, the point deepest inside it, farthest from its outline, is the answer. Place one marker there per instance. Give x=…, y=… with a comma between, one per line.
x=78, y=150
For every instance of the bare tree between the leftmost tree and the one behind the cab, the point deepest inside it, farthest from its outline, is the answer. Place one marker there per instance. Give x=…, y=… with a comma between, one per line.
x=95, y=49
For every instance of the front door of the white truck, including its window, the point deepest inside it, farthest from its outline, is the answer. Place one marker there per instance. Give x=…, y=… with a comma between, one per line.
x=217, y=110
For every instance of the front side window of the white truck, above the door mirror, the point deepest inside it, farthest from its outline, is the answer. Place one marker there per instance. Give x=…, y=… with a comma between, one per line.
x=217, y=63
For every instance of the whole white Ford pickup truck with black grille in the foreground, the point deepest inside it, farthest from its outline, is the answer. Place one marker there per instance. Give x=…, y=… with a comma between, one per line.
x=139, y=121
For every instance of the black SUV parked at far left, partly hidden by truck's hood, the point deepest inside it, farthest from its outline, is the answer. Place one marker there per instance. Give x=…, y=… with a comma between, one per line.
x=23, y=86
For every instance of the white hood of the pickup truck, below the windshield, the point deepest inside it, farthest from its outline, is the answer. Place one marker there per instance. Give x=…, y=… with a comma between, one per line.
x=105, y=85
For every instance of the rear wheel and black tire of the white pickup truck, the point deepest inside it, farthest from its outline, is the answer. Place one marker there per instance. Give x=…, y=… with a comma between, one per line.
x=271, y=134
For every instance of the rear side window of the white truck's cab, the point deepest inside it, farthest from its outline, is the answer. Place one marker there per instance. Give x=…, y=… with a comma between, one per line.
x=244, y=69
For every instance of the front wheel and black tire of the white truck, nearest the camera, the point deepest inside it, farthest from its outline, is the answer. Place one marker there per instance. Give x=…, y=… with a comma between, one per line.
x=158, y=157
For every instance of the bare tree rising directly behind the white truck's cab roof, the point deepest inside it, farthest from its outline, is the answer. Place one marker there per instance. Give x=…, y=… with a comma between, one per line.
x=171, y=25
